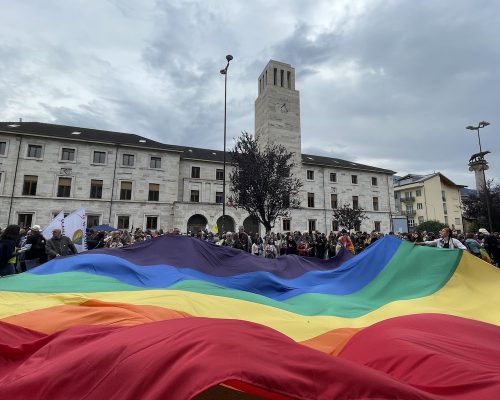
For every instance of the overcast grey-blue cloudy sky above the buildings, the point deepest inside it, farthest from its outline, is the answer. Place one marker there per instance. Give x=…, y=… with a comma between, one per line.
x=384, y=82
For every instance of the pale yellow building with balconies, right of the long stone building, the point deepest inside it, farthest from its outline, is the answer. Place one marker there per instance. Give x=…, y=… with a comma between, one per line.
x=429, y=197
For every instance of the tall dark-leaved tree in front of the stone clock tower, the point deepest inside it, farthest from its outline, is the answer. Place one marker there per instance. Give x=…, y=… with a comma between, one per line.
x=262, y=180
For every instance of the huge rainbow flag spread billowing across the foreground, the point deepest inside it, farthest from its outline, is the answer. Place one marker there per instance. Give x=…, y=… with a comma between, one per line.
x=178, y=318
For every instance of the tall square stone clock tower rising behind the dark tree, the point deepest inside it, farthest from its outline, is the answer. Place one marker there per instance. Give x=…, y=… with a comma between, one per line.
x=277, y=108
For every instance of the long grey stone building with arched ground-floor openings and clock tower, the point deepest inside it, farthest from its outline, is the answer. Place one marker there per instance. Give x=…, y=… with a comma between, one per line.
x=130, y=181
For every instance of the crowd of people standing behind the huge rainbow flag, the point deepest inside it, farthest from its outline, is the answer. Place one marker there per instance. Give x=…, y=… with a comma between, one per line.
x=22, y=249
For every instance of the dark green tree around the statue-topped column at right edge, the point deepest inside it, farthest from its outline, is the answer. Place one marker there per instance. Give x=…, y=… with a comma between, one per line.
x=476, y=211
